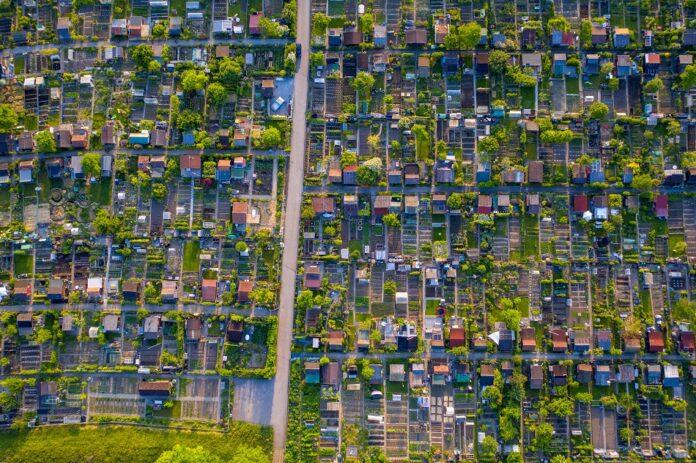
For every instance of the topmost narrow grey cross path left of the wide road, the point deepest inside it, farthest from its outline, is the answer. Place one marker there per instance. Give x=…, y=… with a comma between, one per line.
x=130, y=42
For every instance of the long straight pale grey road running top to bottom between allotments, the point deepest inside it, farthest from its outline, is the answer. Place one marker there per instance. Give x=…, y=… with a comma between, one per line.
x=293, y=203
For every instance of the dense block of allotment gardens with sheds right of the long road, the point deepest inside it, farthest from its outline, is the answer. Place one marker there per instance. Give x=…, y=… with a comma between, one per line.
x=498, y=246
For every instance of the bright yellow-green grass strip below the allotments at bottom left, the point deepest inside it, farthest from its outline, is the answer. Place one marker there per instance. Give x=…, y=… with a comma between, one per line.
x=115, y=444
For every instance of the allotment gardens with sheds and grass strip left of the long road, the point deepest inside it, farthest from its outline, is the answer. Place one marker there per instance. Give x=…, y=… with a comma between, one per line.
x=143, y=152
